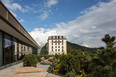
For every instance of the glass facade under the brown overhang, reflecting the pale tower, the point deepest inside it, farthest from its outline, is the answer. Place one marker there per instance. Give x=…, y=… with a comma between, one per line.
x=12, y=49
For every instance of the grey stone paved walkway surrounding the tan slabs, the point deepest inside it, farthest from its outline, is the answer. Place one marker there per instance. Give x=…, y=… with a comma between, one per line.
x=10, y=70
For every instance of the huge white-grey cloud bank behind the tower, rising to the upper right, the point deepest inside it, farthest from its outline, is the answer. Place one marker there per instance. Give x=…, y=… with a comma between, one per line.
x=87, y=30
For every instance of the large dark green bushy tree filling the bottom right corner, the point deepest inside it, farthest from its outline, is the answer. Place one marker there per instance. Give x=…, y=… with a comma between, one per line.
x=104, y=65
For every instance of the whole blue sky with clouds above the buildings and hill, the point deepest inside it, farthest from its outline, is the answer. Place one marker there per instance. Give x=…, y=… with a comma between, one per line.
x=83, y=22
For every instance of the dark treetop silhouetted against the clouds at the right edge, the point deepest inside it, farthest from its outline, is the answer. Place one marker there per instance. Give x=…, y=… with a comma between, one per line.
x=109, y=40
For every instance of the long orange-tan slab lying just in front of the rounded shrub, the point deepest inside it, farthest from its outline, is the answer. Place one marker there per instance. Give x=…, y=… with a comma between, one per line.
x=28, y=69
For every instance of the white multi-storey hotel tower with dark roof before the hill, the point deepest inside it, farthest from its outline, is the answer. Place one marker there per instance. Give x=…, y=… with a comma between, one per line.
x=56, y=45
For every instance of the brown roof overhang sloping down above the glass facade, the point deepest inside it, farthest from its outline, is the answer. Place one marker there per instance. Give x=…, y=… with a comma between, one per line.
x=10, y=25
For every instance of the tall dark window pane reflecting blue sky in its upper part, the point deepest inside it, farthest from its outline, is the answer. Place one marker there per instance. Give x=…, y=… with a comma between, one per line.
x=7, y=49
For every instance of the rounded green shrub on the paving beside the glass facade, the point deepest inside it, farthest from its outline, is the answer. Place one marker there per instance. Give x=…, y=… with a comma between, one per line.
x=30, y=60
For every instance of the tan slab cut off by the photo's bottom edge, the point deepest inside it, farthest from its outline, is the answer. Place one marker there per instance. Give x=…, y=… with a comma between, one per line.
x=41, y=74
